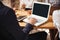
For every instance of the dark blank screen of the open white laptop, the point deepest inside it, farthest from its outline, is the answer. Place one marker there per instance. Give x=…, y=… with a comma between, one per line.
x=40, y=9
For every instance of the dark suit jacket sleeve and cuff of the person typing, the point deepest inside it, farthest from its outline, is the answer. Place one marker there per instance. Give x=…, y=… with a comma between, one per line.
x=9, y=21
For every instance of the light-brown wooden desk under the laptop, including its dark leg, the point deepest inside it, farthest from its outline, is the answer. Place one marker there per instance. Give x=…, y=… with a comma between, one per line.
x=48, y=25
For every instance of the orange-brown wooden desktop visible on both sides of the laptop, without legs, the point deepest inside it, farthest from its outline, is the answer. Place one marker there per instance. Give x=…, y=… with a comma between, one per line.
x=48, y=24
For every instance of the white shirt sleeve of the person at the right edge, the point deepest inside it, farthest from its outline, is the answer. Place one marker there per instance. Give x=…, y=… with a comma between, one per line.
x=56, y=19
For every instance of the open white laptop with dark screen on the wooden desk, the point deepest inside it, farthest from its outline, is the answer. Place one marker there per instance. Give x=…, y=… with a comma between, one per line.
x=40, y=11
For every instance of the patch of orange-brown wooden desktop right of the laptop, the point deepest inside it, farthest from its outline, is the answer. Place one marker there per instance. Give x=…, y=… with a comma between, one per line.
x=48, y=24
